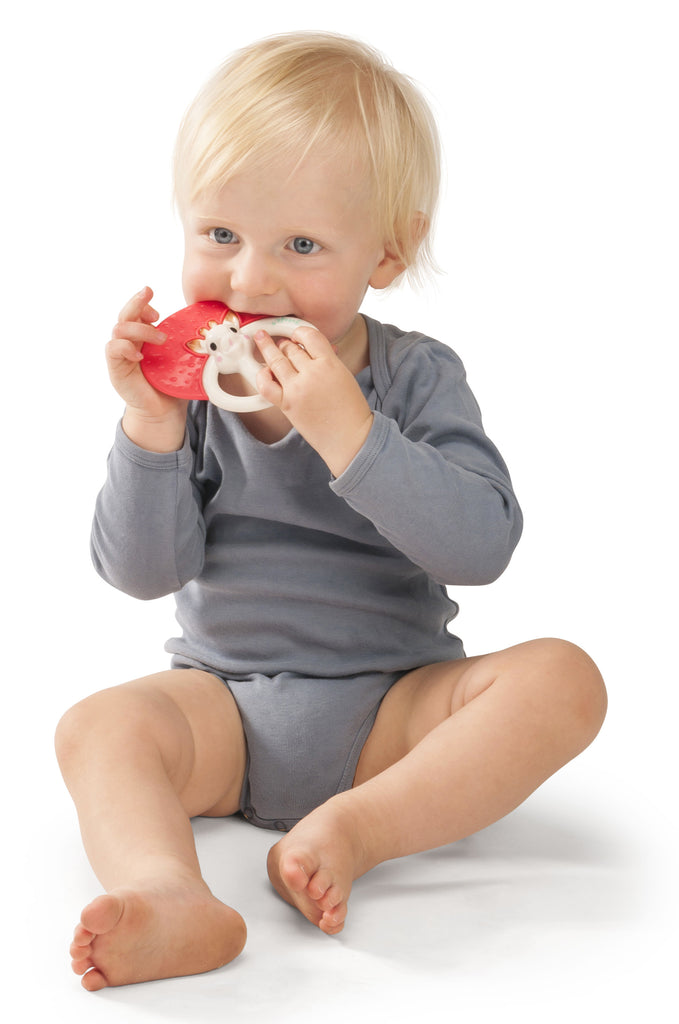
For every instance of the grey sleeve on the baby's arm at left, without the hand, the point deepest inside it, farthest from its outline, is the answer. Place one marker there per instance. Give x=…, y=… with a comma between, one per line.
x=148, y=536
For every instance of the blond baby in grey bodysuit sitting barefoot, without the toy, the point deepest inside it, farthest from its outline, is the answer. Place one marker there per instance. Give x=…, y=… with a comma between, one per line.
x=316, y=687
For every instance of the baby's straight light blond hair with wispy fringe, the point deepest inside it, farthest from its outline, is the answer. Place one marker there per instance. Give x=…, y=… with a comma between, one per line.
x=284, y=97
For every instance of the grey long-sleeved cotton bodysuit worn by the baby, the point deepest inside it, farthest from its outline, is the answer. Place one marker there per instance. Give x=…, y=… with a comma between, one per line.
x=312, y=595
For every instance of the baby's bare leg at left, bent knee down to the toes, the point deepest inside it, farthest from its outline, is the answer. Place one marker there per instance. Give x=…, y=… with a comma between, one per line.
x=140, y=760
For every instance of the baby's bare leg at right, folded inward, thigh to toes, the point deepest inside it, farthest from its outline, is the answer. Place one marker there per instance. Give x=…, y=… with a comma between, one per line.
x=455, y=748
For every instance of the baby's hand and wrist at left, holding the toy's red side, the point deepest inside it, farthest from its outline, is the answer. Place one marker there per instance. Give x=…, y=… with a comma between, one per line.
x=152, y=419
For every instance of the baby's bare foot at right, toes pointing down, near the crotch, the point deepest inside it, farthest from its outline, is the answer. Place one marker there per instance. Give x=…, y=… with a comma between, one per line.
x=314, y=867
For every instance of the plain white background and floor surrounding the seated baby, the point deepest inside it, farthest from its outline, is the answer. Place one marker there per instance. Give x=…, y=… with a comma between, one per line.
x=559, y=238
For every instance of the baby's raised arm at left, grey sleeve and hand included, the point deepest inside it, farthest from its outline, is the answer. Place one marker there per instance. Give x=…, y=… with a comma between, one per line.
x=148, y=536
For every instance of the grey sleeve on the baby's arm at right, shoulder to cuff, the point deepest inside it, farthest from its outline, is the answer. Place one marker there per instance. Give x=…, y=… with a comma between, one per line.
x=428, y=478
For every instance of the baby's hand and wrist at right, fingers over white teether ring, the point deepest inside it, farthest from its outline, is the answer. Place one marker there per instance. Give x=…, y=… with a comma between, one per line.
x=309, y=382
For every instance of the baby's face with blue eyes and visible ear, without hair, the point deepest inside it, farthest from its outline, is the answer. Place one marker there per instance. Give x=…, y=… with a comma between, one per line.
x=278, y=245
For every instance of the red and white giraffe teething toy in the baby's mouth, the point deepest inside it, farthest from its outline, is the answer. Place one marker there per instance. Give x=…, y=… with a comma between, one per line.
x=204, y=342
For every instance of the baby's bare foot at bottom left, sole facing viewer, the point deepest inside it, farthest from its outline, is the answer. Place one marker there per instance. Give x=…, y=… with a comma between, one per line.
x=163, y=931
